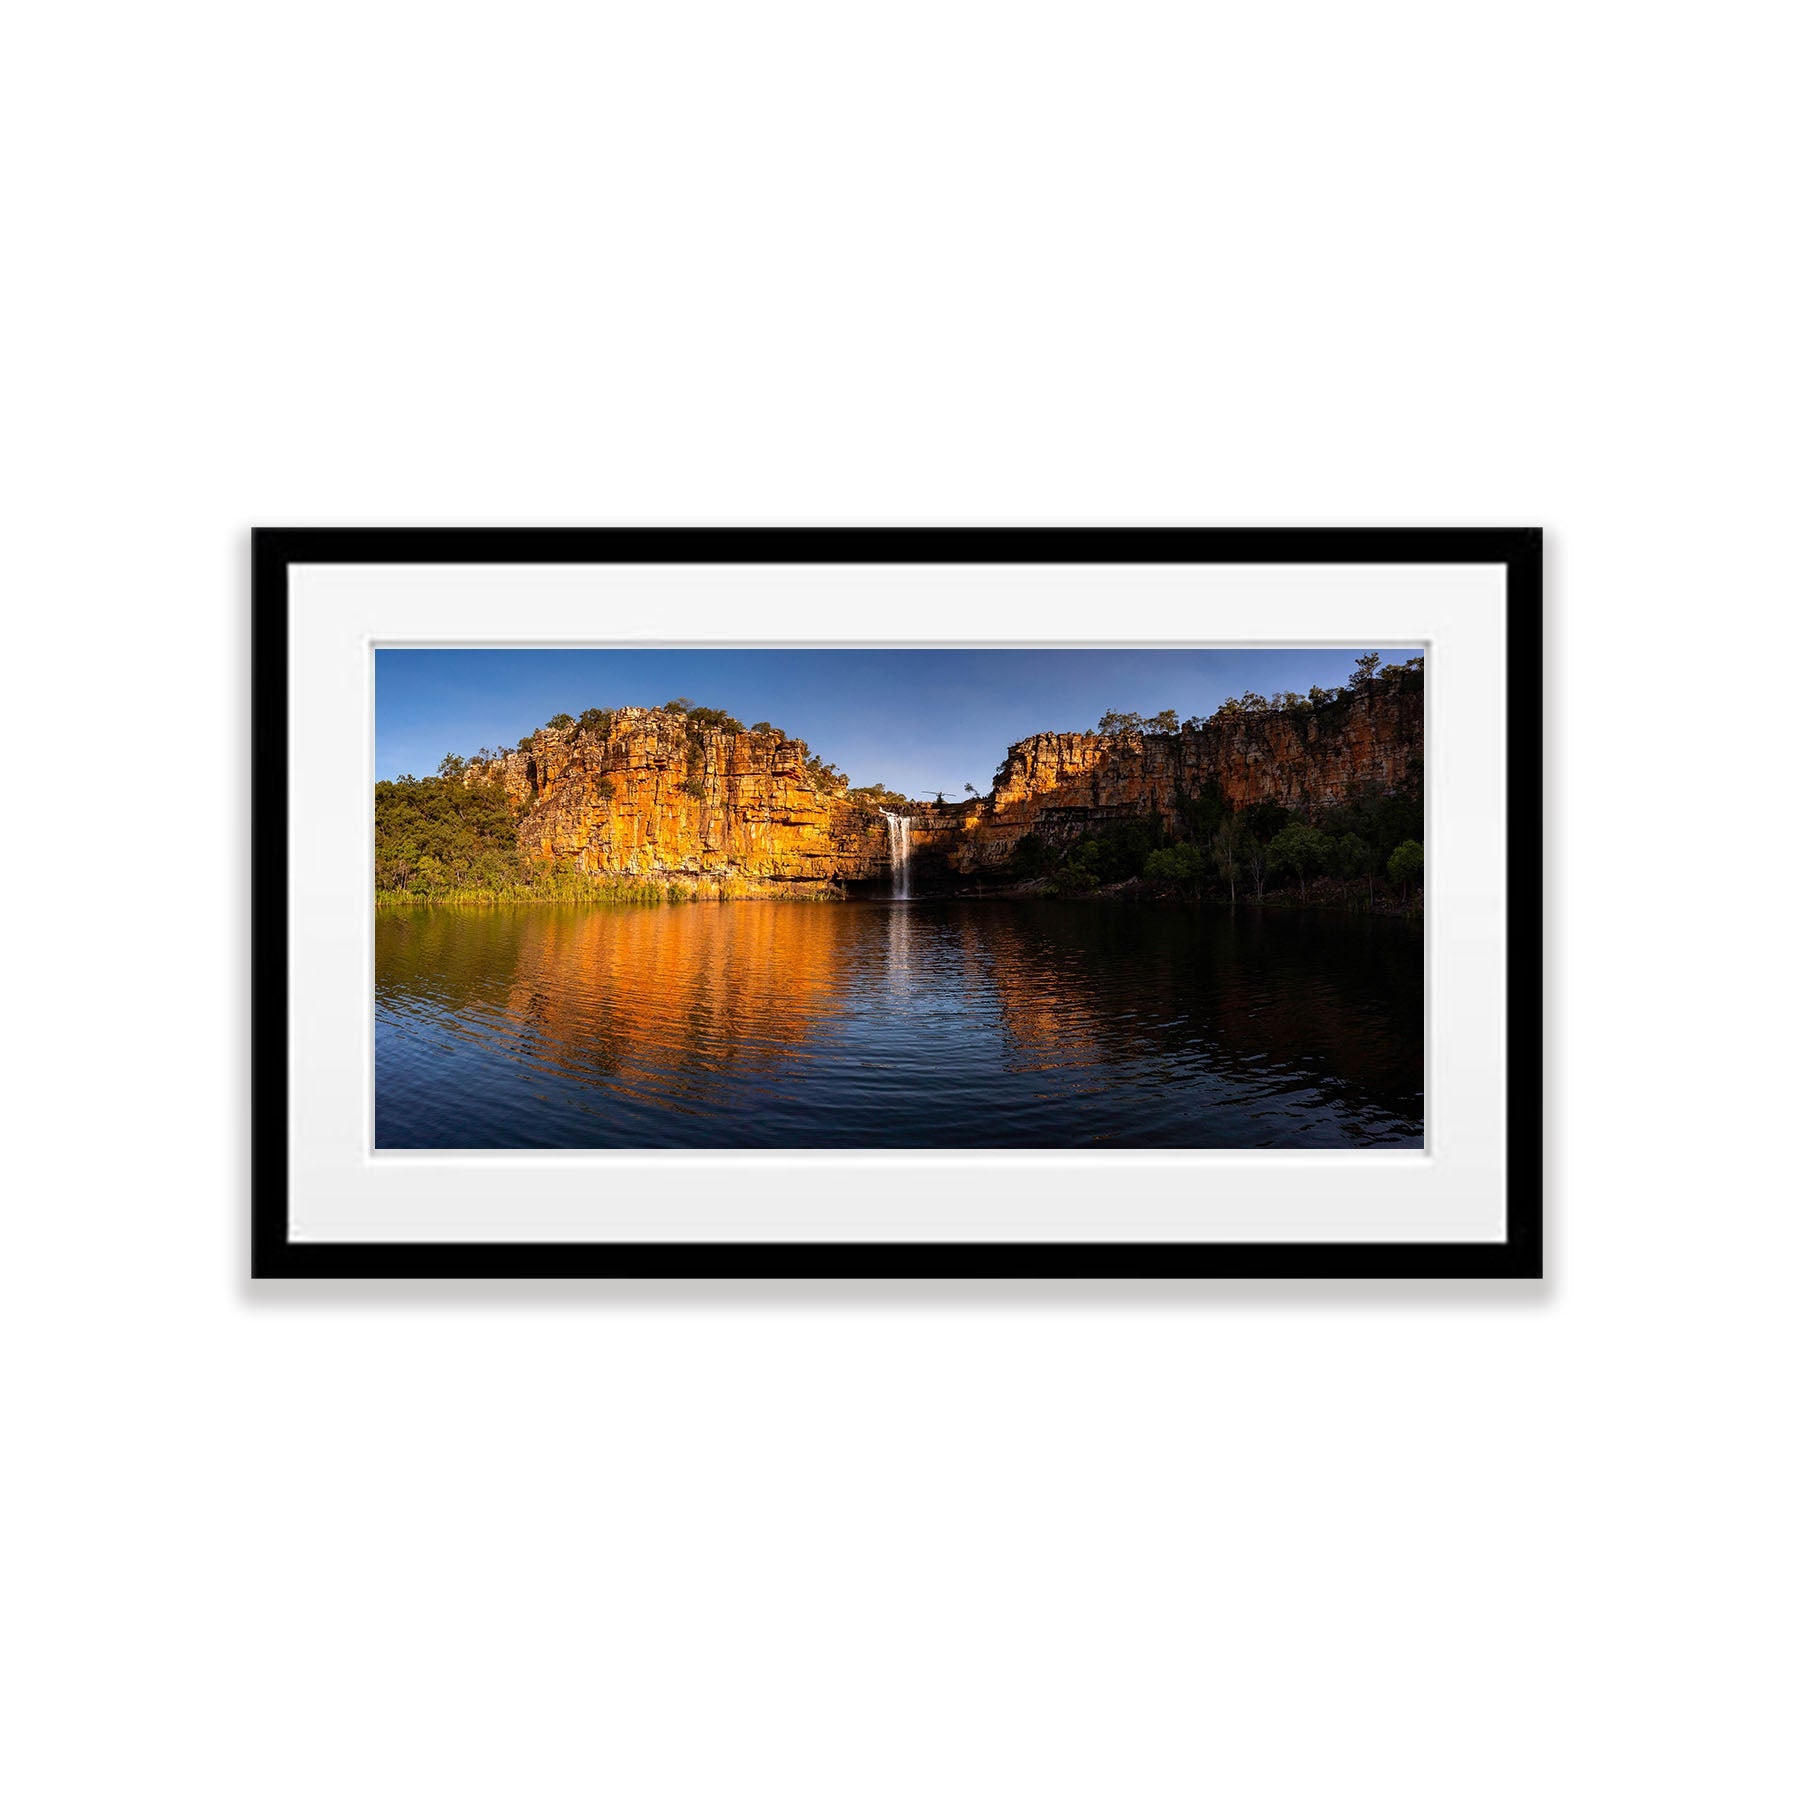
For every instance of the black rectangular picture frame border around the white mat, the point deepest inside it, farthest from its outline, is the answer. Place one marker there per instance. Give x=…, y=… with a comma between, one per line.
x=1520, y=1255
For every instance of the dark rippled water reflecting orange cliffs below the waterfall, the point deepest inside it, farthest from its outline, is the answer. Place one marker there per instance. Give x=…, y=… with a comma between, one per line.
x=872, y=1023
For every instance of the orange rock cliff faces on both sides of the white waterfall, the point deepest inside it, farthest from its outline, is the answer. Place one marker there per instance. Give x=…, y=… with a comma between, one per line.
x=739, y=811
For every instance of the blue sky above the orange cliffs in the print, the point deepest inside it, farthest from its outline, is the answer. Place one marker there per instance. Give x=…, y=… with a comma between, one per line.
x=922, y=721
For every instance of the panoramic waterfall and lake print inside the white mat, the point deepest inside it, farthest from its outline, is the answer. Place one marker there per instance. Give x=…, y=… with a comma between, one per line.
x=901, y=899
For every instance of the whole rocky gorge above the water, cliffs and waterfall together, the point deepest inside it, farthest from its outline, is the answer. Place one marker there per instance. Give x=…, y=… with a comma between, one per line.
x=696, y=805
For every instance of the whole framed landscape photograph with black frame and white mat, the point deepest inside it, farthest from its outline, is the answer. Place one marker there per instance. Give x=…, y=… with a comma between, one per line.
x=897, y=903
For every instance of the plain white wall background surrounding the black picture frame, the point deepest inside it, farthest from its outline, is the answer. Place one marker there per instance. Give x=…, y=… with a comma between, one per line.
x=930, y=264
